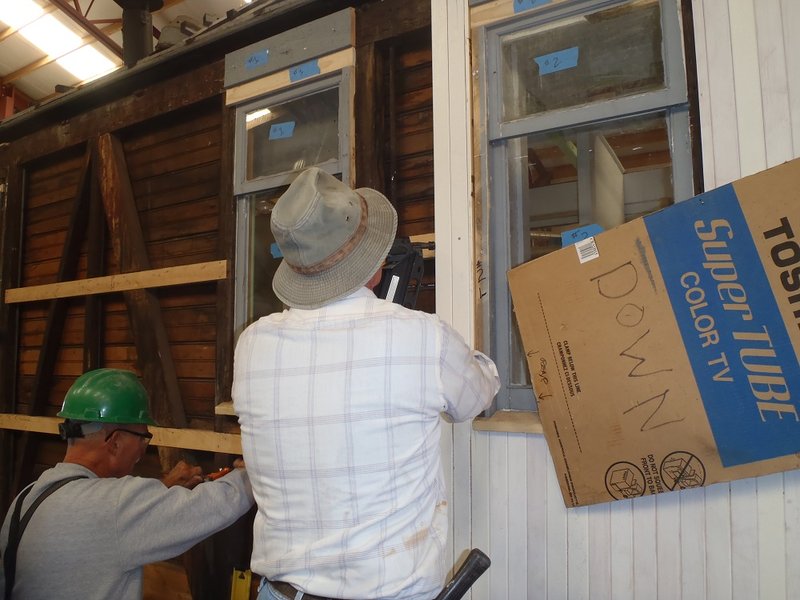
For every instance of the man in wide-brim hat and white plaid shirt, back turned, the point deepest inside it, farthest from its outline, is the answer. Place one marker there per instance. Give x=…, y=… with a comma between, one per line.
x=339, y=400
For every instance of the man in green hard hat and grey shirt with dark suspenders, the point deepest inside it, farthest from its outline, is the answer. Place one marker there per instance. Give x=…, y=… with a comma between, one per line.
x=86, y=527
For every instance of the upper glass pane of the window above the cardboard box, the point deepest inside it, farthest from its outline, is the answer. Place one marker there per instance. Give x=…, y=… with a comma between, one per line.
x=583, y=59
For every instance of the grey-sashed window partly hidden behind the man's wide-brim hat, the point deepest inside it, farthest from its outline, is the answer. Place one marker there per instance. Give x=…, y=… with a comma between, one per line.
x=278, y=136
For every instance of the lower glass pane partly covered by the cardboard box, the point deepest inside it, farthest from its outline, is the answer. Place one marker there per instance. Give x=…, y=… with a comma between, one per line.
x=604, y=174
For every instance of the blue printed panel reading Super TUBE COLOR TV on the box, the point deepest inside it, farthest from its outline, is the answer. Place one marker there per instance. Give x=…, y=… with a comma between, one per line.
x=742, y=358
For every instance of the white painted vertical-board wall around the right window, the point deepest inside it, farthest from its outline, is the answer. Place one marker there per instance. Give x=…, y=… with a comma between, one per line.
x=739, y=540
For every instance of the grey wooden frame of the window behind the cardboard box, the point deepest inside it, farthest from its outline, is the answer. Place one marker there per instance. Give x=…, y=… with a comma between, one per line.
x=673, y=101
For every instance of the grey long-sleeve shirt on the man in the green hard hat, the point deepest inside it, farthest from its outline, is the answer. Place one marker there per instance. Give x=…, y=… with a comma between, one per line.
x=91, y=538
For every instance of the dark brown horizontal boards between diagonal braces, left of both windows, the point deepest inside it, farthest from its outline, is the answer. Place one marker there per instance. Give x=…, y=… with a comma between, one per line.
x=174, y=166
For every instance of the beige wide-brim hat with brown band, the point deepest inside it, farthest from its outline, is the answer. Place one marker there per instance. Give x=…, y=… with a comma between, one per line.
x=333, y=239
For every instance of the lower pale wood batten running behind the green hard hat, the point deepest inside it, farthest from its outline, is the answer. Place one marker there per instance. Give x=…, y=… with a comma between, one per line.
x=186, y=439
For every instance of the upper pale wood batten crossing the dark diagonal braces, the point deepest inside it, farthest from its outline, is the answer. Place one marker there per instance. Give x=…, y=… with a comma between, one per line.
x=196, y=273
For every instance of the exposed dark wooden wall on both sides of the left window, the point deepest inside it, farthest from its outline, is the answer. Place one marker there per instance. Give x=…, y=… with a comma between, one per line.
x=179, y=162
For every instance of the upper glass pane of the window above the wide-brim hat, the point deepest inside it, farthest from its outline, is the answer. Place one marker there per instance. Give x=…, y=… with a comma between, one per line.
x=293, y=135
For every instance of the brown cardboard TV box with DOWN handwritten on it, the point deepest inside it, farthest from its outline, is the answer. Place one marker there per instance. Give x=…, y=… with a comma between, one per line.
x=664, y=352
